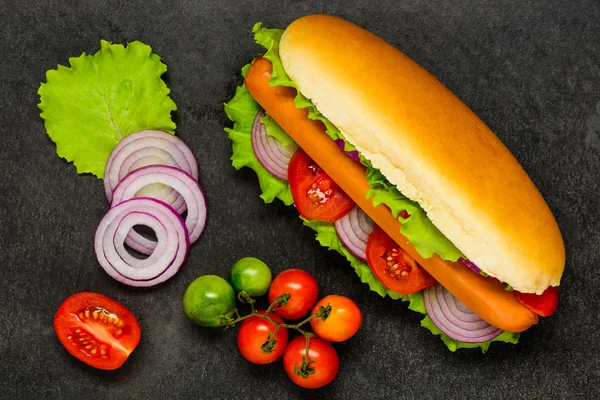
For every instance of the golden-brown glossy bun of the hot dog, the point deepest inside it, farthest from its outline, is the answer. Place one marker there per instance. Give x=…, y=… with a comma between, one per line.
x=431, y=146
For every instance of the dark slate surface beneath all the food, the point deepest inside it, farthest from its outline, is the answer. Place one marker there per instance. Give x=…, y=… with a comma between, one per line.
x=530, y=69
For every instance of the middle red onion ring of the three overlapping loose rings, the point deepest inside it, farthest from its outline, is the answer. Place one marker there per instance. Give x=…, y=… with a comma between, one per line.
x=180, y=181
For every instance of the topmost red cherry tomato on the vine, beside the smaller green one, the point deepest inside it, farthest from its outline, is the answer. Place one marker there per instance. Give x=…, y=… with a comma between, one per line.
x=303, y=290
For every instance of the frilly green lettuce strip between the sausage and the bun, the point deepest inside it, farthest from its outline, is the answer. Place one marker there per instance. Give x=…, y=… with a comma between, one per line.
x=417, y=228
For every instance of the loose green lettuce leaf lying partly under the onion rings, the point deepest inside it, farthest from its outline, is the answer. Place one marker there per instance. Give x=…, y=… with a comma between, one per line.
x=90, y=106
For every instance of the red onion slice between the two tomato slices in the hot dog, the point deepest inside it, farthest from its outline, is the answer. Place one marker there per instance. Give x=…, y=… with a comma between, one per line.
x=354, y=229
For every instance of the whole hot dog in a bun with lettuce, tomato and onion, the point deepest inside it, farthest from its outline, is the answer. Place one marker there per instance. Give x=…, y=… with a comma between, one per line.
x=369, y=127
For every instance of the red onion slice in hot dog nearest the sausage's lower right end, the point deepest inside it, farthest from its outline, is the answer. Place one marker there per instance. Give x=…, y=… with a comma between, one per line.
x=453, y=318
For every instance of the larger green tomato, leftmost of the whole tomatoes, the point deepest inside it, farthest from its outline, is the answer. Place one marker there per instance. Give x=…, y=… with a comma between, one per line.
x=207, y=298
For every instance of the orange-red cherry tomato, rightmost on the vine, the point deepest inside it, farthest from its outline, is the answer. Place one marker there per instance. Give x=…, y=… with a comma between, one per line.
x=343, y=321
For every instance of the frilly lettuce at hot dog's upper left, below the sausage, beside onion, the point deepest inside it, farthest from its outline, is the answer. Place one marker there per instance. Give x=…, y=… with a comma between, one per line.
x=242, y=109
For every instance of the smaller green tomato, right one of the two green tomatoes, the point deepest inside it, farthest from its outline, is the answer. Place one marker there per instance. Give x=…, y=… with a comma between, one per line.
x=252, y=275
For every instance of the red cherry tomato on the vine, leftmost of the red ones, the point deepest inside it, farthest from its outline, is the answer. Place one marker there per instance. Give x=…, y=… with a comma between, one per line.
x=254, y=333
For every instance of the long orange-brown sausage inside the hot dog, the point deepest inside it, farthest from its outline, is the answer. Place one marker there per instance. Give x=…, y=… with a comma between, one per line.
x=486, y=297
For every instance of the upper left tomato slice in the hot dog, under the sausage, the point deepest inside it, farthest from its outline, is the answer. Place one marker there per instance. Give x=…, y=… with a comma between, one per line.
x=315, y=194
